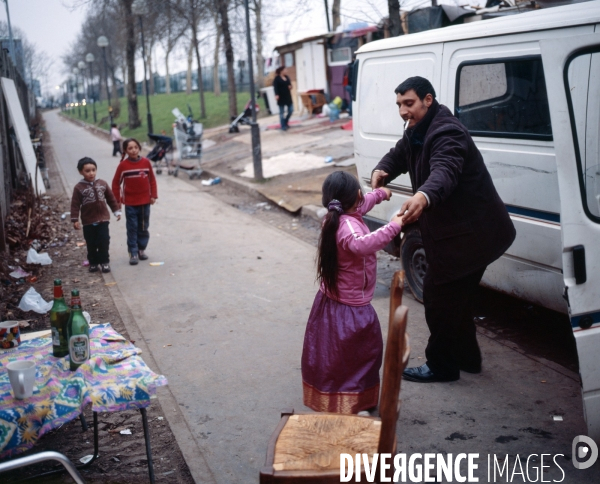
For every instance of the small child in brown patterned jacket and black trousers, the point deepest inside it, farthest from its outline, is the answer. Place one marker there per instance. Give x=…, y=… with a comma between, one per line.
x=90, y=197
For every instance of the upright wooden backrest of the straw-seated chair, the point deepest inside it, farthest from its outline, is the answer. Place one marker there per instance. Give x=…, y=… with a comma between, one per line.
x=396, y=357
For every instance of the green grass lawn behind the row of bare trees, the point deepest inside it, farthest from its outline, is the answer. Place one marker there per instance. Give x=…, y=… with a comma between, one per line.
x=161, y=105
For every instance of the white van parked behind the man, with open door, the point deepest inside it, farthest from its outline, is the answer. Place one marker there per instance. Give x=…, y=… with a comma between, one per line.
x=528, y=88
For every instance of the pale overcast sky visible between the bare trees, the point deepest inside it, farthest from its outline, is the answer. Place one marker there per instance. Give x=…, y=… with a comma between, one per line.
x=52, y=25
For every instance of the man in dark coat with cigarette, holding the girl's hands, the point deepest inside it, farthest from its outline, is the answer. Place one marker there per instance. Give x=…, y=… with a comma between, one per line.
x=464, y=224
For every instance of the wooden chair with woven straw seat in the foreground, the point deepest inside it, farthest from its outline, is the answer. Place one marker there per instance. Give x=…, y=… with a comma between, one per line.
x=306, y=448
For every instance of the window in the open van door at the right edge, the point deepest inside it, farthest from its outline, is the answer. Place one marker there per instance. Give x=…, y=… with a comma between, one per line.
x=582, y=85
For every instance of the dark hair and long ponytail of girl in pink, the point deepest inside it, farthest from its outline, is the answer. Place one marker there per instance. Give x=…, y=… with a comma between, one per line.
x=340, y=192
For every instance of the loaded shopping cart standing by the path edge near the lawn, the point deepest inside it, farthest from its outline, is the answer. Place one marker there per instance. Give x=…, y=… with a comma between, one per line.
x=188, y=140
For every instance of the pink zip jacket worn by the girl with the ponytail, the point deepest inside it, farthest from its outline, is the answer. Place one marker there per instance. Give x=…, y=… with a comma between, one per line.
x=357, y=247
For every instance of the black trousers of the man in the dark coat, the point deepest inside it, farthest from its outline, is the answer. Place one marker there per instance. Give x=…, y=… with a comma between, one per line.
x=449, y=315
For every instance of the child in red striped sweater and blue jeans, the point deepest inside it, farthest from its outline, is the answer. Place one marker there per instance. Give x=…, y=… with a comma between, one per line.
x=134, y=185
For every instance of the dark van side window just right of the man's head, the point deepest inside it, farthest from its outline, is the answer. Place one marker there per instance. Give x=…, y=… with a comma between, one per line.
x=505, y=98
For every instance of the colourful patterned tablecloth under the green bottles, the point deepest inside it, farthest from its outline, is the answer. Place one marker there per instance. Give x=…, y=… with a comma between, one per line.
x=115, y=378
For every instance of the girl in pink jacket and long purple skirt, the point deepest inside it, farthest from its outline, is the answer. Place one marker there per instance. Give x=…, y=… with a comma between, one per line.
x=343, y=346
